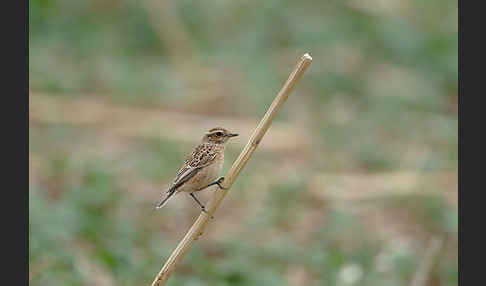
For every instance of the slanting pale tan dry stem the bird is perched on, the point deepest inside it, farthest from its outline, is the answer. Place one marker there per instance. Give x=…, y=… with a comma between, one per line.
x=198, y=227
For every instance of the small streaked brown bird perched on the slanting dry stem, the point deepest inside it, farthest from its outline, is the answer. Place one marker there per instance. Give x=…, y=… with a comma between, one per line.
x=202, y=167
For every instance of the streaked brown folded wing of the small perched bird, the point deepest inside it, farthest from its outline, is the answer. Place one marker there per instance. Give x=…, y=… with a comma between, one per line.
x=202, y=156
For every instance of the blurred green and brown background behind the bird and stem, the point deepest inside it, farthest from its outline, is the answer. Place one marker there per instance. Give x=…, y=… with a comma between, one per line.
x=355, y=183
